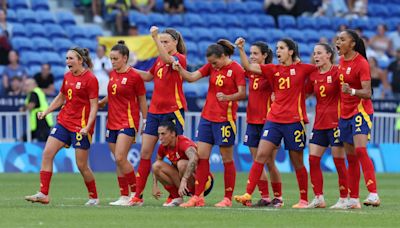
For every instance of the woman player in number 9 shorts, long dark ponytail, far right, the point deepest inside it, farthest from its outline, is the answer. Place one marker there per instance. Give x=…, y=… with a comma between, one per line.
x=356, y=115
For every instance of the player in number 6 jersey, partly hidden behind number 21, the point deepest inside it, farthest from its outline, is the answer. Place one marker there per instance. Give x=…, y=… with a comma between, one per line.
x=259, y=103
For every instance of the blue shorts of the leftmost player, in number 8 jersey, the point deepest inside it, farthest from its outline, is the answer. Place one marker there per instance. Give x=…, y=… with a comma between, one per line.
x=77, y=140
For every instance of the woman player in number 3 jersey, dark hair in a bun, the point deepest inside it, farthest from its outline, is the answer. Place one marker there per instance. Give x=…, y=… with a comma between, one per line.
x=126, y=96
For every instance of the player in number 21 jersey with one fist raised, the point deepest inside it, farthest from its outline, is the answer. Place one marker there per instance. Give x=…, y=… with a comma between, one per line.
x=285, y=119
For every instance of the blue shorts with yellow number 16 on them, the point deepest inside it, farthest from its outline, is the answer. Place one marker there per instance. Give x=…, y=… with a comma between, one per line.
x=221, y=134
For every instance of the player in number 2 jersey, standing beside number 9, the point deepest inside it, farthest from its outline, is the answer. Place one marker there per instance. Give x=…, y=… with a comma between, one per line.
x=325, y=85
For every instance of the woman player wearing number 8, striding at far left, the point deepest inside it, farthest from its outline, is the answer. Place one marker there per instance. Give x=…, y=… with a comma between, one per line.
x=75, y=122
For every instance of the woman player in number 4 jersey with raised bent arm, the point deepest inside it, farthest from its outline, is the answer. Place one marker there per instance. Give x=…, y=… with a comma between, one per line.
x=167, y=100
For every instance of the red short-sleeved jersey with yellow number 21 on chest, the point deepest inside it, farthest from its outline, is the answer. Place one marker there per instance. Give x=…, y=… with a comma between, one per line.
x=289, y=86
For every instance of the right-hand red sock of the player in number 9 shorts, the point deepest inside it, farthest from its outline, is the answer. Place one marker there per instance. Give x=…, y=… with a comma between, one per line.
x=368, y=168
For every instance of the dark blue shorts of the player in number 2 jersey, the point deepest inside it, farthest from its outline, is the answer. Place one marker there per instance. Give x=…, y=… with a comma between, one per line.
x=326, y=137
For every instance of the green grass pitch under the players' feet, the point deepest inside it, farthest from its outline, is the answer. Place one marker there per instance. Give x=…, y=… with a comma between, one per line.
x=68, y=195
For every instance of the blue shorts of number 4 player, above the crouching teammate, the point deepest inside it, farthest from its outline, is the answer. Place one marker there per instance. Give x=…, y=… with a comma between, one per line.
x=154, y=120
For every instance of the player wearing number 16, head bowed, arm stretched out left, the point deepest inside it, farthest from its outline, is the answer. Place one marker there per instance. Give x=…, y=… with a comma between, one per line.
x=217, y=125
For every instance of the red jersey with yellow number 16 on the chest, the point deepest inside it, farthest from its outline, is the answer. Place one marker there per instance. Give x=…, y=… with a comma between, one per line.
x=225, y=80
